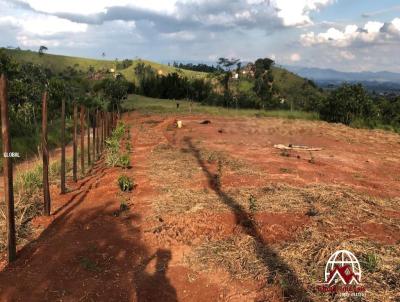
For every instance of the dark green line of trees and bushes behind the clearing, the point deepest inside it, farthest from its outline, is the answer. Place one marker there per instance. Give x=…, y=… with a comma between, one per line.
x=349, y=104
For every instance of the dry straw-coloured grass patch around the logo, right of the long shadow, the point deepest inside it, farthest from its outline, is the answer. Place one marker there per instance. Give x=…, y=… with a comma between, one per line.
x=380, y=264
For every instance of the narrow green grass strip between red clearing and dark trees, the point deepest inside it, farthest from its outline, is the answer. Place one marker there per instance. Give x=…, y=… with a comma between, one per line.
x=159, y=106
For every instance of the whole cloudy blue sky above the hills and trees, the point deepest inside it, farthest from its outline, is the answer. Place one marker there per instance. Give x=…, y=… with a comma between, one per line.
x=348, y=35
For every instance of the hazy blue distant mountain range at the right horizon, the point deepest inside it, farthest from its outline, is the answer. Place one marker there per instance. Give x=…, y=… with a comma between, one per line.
x=318, y=74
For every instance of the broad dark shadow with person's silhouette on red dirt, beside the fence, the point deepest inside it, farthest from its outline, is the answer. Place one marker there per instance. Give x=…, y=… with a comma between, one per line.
x=88, y=254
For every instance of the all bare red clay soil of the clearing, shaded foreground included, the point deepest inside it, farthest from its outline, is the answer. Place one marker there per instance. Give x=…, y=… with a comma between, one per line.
x=88, y=251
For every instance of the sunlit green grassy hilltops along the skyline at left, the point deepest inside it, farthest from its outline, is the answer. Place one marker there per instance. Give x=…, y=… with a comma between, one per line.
x=58, y=63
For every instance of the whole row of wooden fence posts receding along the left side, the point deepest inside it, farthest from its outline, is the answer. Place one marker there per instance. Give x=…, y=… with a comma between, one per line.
x=102, y=125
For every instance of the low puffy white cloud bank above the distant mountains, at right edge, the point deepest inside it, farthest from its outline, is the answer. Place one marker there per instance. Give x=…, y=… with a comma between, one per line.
x=371, y=32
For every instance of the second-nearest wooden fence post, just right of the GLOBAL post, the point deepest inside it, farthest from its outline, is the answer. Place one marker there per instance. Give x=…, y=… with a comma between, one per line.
x=45, y=157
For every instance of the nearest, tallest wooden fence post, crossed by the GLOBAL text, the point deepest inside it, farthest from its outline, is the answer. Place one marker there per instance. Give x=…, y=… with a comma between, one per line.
x=8, y=172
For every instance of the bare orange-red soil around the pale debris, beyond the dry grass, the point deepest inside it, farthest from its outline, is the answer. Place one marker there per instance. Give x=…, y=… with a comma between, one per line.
x=366, y=160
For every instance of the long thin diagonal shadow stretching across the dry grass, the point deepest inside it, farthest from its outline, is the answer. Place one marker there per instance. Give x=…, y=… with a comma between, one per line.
x=293, y=289
